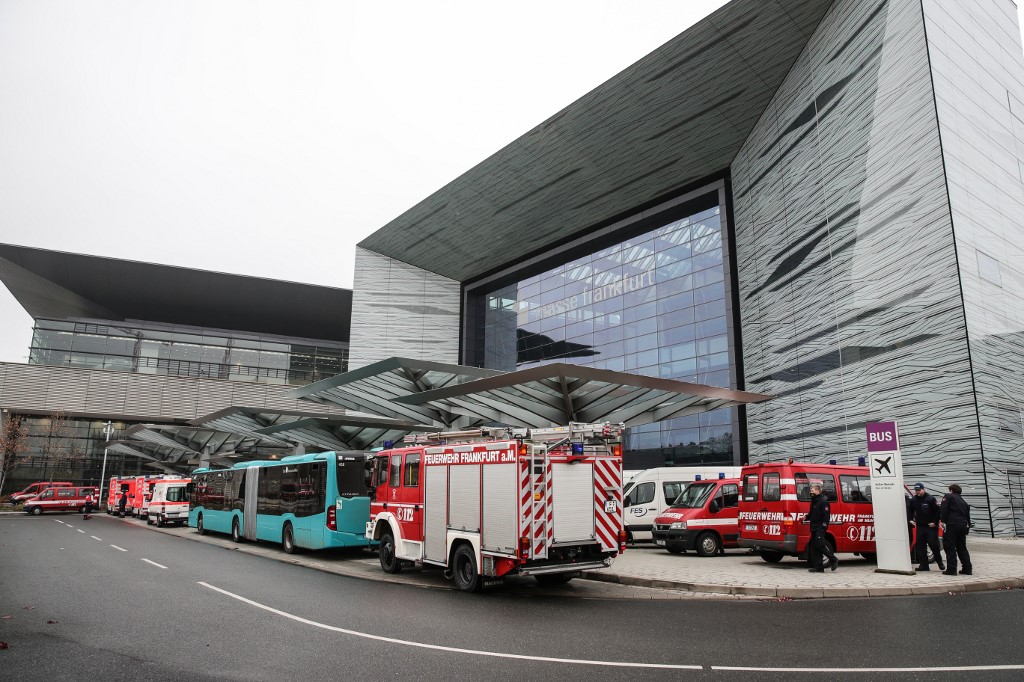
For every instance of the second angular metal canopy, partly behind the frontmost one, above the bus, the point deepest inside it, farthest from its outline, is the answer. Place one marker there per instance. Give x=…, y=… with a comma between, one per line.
x=374, y=389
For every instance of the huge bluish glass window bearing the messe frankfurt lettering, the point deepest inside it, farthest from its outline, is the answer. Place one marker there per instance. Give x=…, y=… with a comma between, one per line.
x=653, y=305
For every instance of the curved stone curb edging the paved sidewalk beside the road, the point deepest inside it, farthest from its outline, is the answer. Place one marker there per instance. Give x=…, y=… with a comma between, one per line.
x=809, y=592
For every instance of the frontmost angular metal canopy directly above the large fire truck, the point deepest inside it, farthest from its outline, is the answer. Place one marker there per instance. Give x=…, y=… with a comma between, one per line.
x=558, y=395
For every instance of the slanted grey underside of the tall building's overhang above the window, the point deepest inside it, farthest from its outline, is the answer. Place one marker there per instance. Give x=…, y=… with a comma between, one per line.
x=677, y=117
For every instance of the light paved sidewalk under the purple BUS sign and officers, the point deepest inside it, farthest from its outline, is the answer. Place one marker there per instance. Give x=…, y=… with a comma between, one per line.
x=998, y=565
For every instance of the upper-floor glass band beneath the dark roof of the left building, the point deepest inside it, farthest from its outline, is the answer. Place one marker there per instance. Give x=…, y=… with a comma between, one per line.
x=185, y=352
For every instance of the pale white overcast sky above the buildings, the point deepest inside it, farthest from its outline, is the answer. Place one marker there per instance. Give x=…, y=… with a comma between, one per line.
x=268, y=139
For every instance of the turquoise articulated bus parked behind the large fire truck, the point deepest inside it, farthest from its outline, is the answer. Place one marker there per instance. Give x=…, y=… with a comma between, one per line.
x=302, y=501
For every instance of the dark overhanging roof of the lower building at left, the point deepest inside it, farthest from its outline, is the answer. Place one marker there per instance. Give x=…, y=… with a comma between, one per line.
x=58, y=285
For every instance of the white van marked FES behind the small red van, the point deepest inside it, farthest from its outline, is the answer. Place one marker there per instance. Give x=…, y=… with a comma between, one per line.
x=652, y=492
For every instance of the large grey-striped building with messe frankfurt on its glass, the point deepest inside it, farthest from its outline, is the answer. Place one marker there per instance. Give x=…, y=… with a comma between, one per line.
x=821, y=200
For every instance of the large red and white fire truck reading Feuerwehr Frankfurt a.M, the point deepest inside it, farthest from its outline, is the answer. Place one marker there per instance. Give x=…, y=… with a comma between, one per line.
x=494, y=502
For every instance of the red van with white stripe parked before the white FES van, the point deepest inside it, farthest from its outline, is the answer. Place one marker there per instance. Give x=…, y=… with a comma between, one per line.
x=704, y=518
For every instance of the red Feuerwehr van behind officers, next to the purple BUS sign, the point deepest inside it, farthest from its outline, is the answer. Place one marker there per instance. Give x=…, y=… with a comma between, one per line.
x=775, y=499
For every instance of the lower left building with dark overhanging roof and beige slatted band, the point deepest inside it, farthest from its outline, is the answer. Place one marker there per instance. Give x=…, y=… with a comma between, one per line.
x=152, y=349
